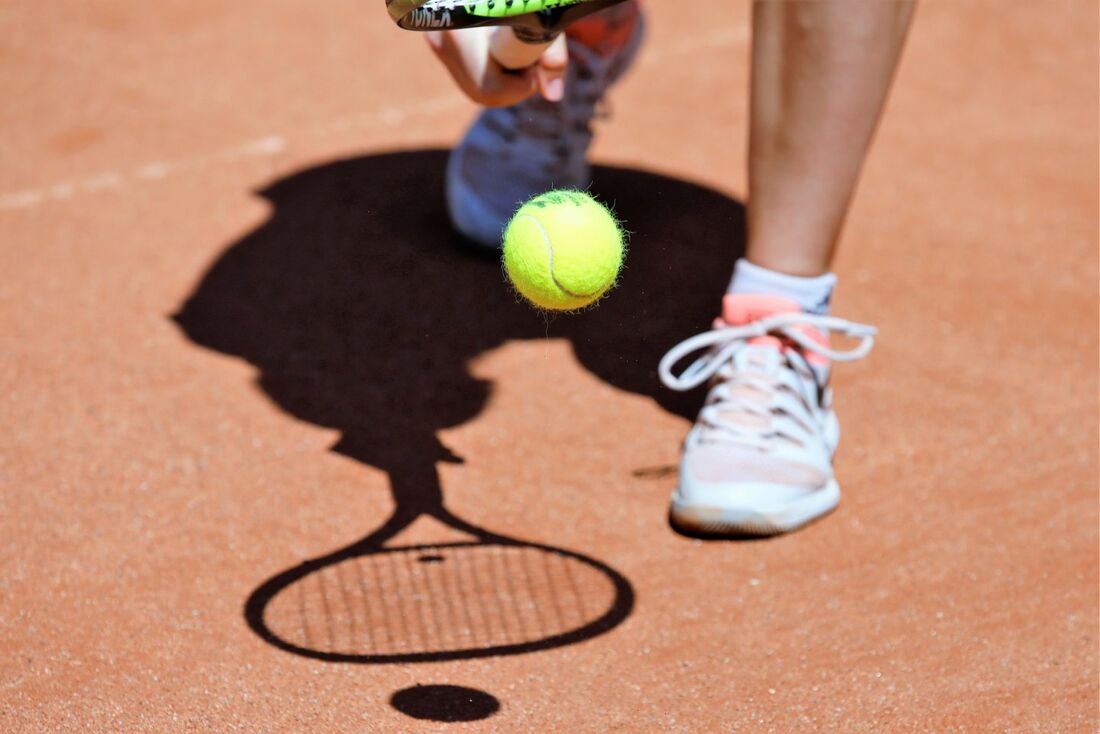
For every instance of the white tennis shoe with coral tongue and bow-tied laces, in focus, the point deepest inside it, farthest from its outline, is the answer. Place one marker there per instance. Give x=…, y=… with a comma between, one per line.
x=760, y=459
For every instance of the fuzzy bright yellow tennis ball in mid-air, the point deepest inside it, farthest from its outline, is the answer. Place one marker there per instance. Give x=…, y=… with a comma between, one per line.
x=563, y=250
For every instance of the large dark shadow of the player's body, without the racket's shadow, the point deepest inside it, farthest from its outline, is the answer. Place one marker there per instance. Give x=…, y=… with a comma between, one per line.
x=361, y=310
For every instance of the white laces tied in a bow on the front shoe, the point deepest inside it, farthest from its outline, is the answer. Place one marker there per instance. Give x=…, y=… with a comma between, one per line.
x=762, y=393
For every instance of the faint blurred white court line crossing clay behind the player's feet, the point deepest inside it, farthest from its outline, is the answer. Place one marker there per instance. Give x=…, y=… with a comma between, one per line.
x=276, y=144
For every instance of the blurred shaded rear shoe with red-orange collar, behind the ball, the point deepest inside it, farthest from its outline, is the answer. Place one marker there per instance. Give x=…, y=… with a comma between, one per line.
x=510, y=155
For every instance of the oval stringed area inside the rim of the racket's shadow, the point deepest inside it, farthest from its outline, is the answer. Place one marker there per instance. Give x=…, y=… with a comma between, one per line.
x=441, y=599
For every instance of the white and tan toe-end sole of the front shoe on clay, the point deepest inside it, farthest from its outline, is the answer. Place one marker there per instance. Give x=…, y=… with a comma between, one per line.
x=734, y=522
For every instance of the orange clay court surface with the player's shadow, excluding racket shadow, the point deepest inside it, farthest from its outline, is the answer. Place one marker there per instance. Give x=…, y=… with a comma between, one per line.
x=233, y=321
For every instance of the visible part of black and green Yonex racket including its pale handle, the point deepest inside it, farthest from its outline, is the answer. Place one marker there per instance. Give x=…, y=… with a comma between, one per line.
x=534, y=24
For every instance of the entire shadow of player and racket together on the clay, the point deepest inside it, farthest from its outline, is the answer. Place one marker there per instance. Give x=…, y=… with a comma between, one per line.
x=361, y=311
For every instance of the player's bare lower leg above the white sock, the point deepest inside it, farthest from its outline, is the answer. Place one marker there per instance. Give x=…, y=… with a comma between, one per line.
x=821, y=72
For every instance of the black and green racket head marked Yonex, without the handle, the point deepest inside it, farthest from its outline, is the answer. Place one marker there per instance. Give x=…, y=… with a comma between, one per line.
x=535, y=21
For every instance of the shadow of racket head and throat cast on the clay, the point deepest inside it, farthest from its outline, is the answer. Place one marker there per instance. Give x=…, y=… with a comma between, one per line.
x=379, y=601
